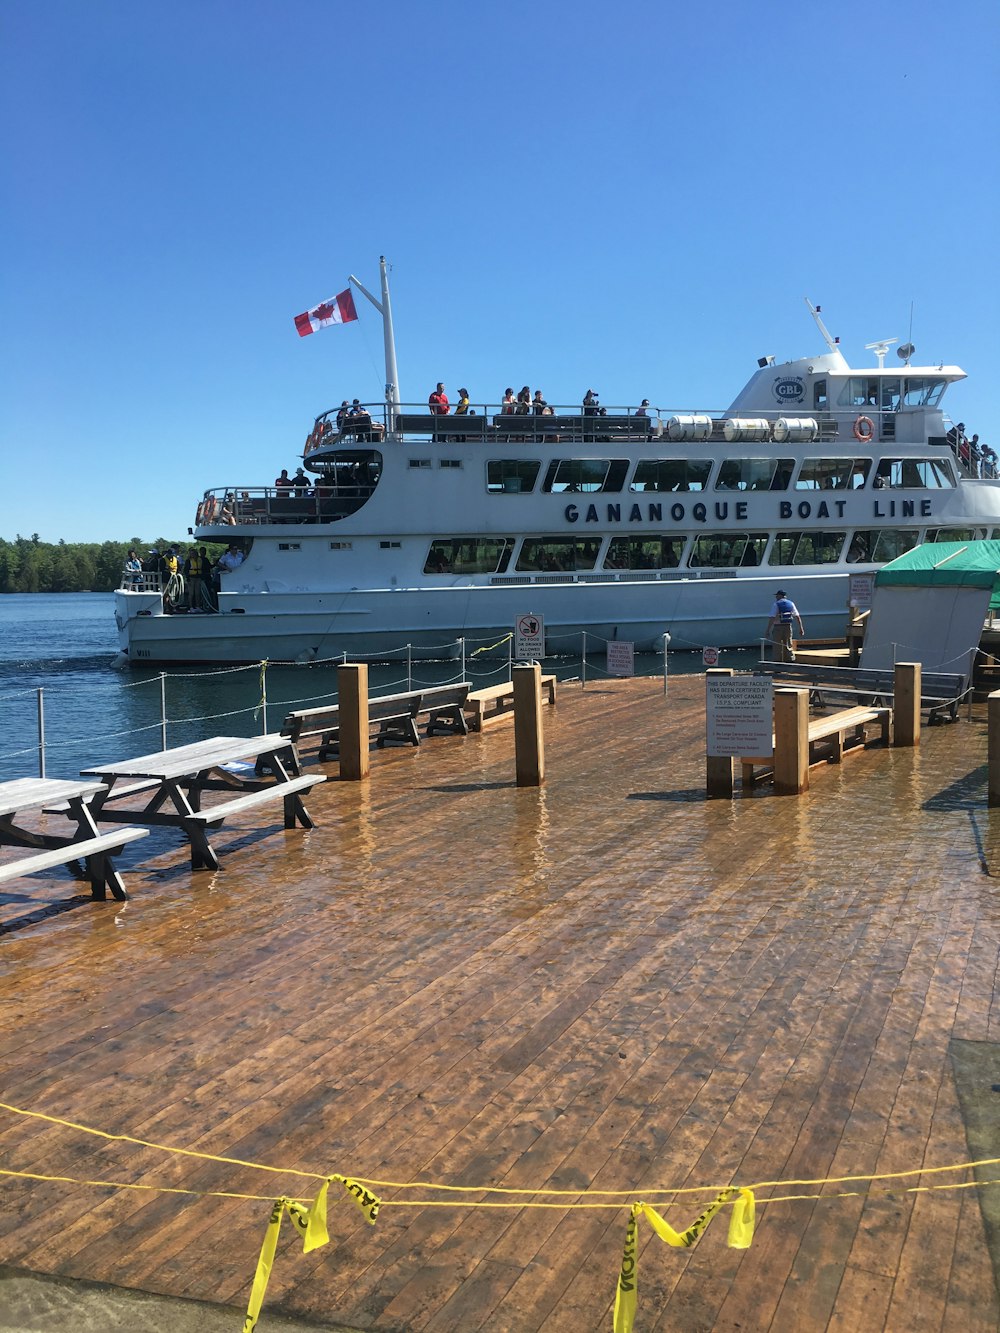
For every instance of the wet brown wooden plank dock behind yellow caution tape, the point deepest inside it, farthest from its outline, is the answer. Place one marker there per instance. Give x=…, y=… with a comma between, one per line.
x=609, y=984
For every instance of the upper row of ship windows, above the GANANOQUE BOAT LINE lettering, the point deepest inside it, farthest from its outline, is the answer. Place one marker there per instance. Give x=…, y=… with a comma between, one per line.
x=519, y=477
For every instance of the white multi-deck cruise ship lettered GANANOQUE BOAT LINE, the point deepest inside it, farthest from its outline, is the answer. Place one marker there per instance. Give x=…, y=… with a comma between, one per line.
x=421, y=530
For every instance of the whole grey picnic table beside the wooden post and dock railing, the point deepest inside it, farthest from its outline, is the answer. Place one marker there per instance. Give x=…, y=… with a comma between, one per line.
x=173, y=782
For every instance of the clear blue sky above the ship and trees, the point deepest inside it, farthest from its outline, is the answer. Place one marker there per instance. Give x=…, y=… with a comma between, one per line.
x=633, y=198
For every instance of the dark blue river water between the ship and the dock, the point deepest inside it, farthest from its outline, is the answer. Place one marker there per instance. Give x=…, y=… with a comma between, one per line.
x=65, y=645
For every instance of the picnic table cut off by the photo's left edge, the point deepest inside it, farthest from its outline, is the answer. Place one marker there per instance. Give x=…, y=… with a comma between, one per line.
x=87, y=844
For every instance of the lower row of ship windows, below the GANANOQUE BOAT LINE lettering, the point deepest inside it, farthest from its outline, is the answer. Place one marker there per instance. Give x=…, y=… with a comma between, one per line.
x=703, y=551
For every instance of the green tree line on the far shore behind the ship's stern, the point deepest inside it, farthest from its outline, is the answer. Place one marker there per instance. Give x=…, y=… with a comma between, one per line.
x=29, y=565
